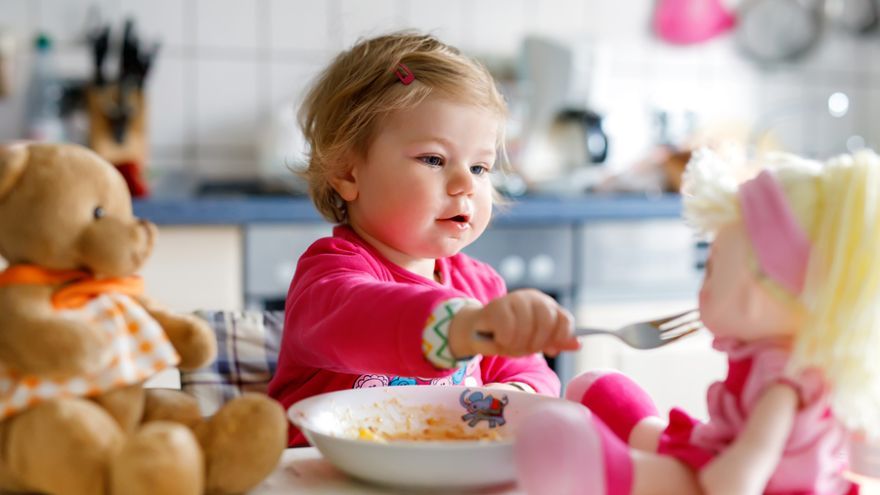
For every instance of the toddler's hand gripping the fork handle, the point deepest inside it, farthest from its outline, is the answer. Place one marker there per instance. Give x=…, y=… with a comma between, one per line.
x=520, y=323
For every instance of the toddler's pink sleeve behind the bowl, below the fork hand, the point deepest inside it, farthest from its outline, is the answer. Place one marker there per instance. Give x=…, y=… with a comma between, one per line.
x=531, y=370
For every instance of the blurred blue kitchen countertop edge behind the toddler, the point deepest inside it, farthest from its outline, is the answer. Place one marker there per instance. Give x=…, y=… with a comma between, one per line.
x=526, y=210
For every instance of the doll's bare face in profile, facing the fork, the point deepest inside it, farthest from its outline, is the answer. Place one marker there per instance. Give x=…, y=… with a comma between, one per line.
x=733, y=301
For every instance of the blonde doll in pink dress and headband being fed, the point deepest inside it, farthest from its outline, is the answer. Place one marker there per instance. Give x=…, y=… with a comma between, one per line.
x=790, y=294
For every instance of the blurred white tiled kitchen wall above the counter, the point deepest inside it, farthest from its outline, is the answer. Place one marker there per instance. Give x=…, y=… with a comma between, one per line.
x=226, y=65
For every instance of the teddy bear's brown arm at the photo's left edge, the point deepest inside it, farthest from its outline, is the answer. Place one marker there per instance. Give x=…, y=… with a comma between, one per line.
x=35, y=340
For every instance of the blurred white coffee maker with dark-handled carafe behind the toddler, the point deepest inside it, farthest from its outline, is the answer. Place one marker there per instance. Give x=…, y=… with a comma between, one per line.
x=562, y=136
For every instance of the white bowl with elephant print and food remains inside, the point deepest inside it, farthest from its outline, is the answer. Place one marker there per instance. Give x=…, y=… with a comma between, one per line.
x=333, y=422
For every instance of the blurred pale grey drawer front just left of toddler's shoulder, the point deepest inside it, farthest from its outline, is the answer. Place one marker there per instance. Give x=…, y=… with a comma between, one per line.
x=271, y=253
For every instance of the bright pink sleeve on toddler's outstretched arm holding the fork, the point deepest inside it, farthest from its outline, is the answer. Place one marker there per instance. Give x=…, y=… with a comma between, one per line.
x=343, y=315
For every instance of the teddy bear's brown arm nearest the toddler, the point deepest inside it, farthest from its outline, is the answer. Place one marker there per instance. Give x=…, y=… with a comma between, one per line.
x=191, y=337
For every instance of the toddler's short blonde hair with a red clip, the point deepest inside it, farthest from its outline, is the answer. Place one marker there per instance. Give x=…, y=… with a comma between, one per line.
x=343, y=107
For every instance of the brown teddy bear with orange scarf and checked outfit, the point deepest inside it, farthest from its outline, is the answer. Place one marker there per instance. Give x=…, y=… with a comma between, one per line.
x=78, y=339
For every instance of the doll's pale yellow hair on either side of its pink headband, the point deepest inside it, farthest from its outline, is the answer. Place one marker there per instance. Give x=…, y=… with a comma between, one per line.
x=837, y=204
